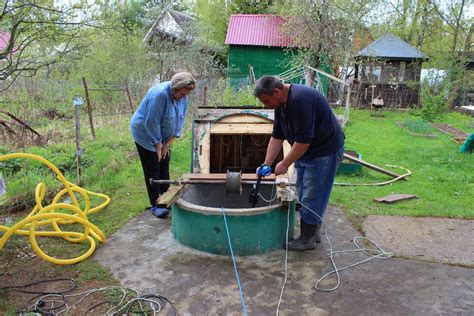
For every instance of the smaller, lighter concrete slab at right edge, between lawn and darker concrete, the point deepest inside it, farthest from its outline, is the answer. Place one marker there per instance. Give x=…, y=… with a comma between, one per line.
x=426, y=238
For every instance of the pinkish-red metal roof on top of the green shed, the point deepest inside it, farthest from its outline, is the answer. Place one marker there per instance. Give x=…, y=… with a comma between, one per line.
x=257, y=30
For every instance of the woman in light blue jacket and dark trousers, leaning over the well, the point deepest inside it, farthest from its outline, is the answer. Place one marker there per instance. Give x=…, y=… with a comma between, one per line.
x=157, y=122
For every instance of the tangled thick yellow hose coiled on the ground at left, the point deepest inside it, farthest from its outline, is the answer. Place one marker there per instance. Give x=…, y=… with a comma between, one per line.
x=42, y=216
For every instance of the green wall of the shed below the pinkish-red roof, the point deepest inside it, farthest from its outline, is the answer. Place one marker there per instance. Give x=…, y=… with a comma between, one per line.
x=265, y=61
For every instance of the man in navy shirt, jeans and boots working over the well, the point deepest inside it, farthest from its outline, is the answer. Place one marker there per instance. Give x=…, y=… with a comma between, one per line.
x=304, y=118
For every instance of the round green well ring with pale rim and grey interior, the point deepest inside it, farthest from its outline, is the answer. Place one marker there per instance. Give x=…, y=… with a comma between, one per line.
x=198, y=221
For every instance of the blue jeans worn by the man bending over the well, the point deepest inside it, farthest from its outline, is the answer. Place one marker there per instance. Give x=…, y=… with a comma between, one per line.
x=314, y=180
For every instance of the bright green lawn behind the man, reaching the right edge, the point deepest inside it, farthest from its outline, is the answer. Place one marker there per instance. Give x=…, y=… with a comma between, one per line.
x=442, y=178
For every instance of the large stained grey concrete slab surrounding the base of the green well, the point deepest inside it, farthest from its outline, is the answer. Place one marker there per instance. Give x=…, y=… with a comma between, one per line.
x=143, y=255
